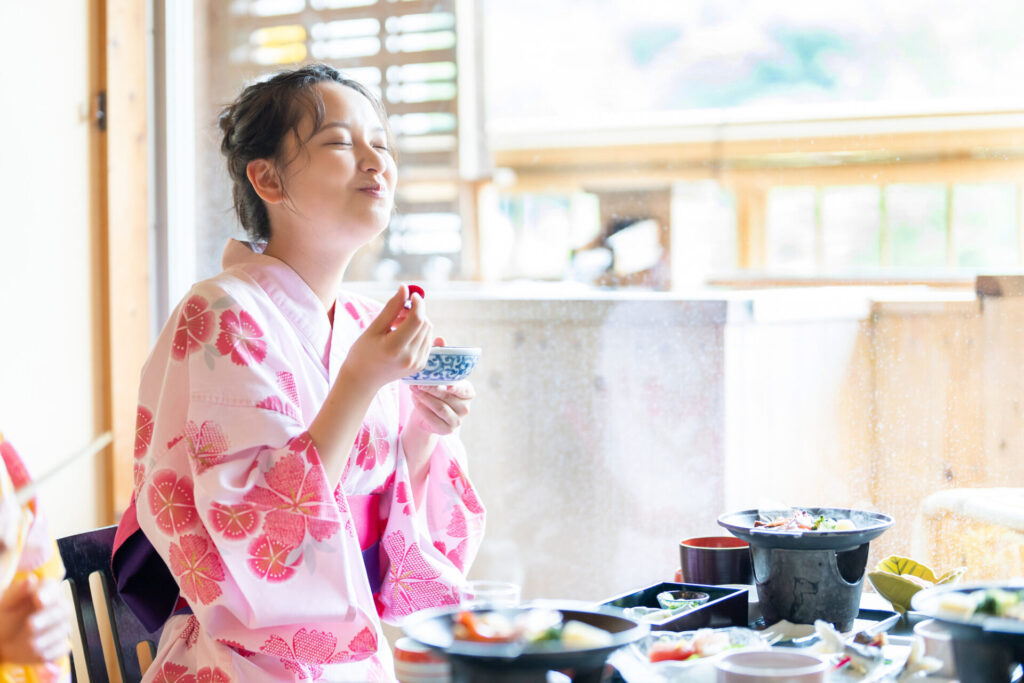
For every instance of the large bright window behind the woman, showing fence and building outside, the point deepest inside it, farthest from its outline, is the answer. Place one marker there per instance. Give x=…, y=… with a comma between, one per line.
x=623, y=166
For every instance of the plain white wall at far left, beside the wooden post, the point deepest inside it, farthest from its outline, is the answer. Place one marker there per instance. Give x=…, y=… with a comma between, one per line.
x=50, y=351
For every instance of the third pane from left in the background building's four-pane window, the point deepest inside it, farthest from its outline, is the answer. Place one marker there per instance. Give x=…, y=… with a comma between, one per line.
x=917, y=226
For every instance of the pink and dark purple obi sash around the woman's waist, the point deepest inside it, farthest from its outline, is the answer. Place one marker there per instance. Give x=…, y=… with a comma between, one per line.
x=149, y=588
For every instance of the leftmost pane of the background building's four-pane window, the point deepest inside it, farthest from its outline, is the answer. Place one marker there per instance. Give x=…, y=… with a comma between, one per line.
x=790, y=230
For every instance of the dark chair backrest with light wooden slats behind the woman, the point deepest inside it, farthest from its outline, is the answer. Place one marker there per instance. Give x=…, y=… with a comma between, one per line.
x=110, y=644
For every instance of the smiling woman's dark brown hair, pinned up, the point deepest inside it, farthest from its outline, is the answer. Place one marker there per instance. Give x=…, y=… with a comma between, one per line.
x=255, y=126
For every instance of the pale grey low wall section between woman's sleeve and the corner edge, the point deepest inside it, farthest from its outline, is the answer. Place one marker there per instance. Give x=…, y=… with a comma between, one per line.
x=595, y=441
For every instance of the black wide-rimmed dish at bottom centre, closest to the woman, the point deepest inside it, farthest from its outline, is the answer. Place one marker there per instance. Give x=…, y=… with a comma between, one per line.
x=474, y=662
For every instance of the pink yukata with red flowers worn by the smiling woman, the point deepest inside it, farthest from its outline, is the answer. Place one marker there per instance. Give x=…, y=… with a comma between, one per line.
x=231, y=492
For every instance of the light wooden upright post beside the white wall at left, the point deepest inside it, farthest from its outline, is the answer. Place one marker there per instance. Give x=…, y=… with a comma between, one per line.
x=127, y=233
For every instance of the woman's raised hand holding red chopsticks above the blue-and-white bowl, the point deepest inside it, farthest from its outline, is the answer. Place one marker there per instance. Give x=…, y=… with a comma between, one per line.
x=395, y=346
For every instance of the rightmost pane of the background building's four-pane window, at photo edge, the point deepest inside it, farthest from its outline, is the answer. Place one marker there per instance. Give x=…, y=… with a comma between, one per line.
x=986, y=226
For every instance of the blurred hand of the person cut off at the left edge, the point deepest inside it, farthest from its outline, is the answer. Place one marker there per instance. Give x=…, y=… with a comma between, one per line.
x=35, y=623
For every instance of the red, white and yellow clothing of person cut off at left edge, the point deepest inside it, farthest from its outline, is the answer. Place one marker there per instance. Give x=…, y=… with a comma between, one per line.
x=33, y=552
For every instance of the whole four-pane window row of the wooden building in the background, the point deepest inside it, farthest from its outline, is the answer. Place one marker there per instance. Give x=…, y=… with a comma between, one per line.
x=838, y=230
